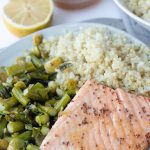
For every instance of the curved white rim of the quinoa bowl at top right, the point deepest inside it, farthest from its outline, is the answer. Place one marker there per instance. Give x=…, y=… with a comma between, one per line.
x=131, y=14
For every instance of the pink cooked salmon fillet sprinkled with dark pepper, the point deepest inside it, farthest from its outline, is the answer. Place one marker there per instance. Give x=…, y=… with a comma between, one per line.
x=100, y=118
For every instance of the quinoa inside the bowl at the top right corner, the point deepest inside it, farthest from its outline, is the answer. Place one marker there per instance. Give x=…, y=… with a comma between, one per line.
x=140, y=7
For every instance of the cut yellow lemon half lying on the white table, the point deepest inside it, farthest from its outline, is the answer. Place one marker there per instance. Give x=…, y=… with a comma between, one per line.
x=23, y=17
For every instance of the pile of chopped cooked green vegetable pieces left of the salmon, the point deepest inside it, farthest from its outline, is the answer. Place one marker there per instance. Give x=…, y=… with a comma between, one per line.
x=30, y=99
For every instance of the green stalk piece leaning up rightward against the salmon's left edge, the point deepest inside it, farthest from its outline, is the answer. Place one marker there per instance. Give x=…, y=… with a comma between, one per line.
x=61, y=104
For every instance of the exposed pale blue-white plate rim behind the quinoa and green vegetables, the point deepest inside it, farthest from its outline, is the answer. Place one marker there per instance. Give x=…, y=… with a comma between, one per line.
x=8, y=55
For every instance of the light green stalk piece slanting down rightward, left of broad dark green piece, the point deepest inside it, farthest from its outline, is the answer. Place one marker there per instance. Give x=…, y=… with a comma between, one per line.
x=19, y=96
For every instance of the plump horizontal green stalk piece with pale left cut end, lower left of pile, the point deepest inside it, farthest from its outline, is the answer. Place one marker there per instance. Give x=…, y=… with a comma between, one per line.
x=15, y=126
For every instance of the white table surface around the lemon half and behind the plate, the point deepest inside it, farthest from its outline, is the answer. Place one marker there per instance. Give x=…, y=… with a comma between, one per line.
x=105, y=8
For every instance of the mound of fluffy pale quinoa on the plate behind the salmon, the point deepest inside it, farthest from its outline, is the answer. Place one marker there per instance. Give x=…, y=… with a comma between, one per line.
x=109, y=58
